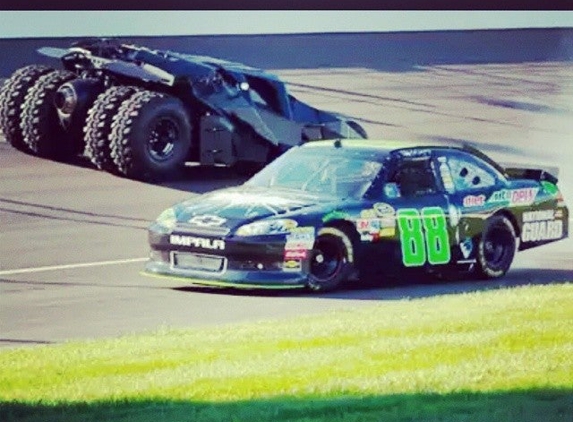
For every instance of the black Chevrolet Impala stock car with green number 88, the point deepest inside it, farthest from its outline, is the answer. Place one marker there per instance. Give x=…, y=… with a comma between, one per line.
x=330, y=212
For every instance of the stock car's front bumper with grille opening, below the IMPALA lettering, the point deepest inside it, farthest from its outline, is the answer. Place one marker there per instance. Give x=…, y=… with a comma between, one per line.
x=248, y=263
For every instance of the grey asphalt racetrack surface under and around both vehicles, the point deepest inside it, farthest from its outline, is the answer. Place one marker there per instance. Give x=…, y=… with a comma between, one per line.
x=73, y=239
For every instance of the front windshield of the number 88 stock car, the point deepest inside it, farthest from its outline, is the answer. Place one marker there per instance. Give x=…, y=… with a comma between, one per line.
x=334, y=172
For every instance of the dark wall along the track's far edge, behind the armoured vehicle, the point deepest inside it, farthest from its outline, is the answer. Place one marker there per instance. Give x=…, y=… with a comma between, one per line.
x=402, y=51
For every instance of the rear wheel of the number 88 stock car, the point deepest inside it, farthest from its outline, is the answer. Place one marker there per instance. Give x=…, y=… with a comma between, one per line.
x=496, y=248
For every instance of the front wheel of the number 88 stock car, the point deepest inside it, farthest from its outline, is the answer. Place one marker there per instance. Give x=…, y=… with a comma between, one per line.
x=332, y=258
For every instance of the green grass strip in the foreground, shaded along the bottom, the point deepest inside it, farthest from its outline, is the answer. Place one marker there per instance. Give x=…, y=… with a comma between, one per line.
x=500, y=355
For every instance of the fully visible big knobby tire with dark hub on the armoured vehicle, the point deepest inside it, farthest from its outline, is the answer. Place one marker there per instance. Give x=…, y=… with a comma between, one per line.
x=151, y=136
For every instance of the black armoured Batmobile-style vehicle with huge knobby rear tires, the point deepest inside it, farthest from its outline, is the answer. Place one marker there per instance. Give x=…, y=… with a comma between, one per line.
x=143, y=113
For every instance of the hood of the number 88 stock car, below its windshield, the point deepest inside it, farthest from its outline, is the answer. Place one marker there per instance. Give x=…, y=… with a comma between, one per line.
x=236, y=206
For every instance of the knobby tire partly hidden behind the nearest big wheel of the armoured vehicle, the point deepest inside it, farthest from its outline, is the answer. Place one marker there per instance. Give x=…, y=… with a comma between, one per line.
x=97, y=129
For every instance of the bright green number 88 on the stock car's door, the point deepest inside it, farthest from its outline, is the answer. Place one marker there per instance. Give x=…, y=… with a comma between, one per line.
x=423, y=237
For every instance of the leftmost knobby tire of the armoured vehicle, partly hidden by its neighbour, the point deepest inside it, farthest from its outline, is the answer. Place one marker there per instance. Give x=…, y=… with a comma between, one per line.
x=12, y=96
